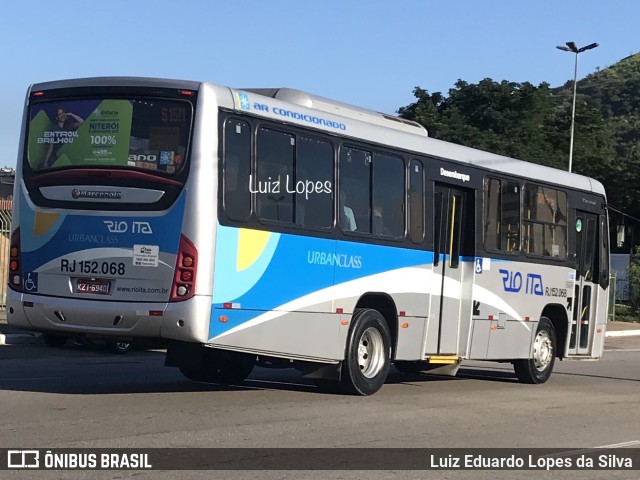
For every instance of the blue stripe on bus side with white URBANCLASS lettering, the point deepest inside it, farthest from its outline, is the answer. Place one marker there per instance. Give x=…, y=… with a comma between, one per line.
x=292, y=266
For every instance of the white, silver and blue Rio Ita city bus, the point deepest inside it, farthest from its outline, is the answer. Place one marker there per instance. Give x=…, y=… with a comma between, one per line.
x=278, y=228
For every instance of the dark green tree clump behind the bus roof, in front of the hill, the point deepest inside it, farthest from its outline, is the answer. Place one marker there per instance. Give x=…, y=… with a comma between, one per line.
x=522, y=121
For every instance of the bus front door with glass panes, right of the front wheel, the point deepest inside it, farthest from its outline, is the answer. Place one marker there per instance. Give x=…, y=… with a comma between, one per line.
x=586, y=287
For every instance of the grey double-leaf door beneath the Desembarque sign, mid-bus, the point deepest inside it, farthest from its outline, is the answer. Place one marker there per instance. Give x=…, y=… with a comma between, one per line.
x=452, y=278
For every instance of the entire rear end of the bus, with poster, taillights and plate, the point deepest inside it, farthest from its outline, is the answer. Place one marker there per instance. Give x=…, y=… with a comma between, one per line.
x=99, y=247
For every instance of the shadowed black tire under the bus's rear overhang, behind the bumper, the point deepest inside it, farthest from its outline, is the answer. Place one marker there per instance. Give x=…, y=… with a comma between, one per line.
x=220, y=366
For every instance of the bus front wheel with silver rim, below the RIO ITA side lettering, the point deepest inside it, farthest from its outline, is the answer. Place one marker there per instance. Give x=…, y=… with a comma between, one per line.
x=537, y=370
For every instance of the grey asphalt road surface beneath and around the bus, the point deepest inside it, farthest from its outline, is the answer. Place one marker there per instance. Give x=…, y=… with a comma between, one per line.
x=79, y=397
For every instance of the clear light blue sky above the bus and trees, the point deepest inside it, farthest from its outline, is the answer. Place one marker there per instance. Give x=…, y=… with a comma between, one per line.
x=369, y=53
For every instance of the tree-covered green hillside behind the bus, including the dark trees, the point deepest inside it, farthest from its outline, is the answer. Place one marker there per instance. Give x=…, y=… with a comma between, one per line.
x=532, y=123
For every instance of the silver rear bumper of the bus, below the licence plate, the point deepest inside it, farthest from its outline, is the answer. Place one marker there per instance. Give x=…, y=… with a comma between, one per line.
x=184, y=321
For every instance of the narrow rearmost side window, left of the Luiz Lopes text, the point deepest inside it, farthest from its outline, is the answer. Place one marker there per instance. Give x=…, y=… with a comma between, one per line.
x=237, y=170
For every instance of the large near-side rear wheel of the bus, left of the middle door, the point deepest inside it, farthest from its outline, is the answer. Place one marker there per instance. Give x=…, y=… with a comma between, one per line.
x=368, y=353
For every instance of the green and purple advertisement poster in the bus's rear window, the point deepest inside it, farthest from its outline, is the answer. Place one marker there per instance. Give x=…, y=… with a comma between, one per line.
x=79, y=133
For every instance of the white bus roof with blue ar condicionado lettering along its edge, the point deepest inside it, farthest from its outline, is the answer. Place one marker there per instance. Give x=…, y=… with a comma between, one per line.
x=295, y=106
